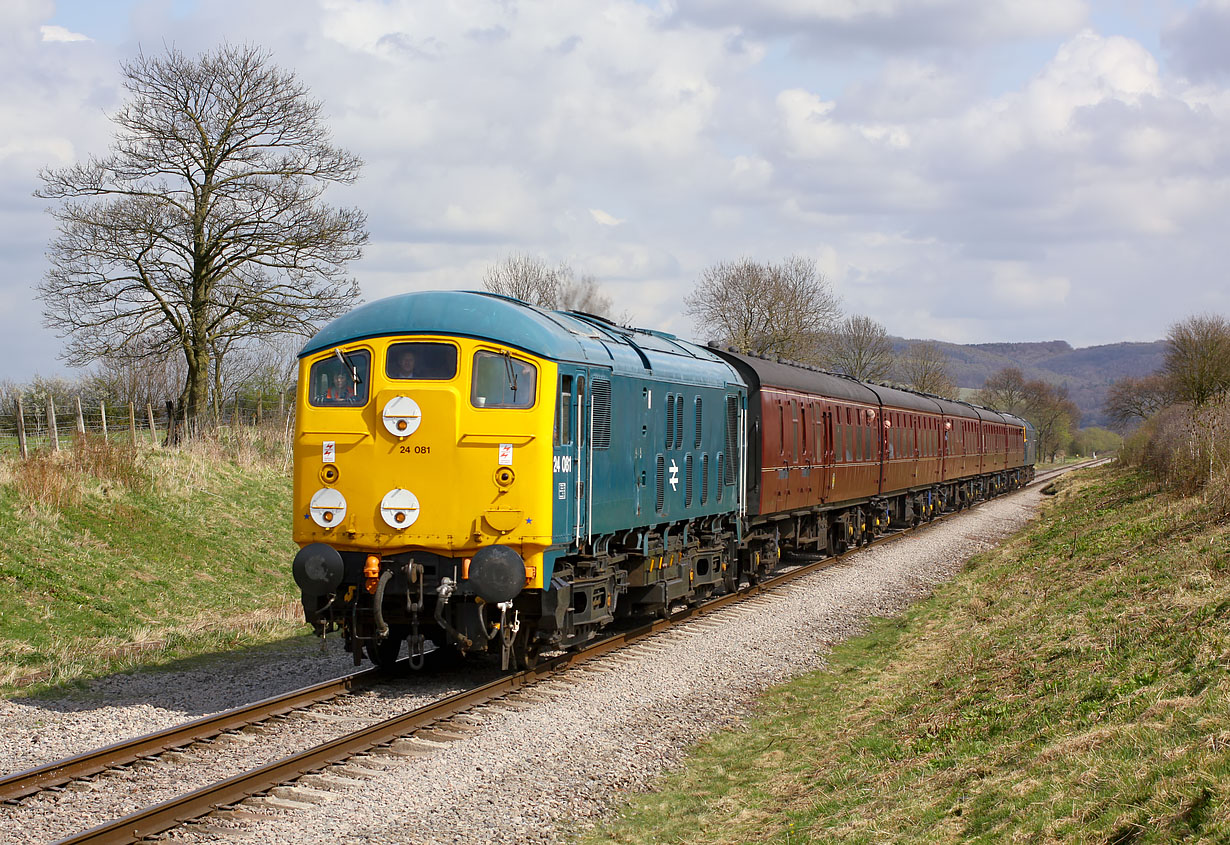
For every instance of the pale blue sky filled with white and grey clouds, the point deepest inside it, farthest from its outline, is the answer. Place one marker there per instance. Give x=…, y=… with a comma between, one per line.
x=962, y=170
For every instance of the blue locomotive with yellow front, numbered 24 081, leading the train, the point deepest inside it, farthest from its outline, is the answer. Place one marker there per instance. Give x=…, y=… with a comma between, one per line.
x=493, y=477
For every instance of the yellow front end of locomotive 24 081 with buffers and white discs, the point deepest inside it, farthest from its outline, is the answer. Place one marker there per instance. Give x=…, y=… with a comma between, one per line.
x=423, y=490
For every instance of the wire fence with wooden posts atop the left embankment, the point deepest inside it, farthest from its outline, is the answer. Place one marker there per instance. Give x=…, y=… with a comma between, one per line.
x=29, y=427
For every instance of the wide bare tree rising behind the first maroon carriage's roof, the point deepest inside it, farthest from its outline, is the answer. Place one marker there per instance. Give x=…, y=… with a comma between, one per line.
x=766, y=309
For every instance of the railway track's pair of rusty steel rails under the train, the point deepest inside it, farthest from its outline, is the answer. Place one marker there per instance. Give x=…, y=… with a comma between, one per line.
x=430, y=721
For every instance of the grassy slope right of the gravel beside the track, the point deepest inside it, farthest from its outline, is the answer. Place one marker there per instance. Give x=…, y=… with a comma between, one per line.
x=1071, y=686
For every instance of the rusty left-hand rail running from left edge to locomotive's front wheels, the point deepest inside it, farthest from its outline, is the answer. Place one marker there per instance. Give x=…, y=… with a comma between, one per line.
x=31, y=782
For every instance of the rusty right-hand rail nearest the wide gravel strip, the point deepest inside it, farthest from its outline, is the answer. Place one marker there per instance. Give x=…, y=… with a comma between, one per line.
x=207, y=800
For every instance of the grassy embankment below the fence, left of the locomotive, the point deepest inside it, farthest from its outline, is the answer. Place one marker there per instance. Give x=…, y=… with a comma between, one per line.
x=113, y=558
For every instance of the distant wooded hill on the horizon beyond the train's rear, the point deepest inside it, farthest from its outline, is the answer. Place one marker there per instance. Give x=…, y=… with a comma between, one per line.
x=1087, y=372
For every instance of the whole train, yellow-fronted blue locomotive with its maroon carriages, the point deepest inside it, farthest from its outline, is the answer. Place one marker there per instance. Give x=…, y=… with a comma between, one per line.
x=484, y=475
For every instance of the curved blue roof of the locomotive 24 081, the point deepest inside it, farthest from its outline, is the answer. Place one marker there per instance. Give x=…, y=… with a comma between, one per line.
x=555, y=335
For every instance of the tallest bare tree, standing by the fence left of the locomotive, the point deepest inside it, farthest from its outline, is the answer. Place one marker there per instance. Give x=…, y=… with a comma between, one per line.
x=205, y=224
